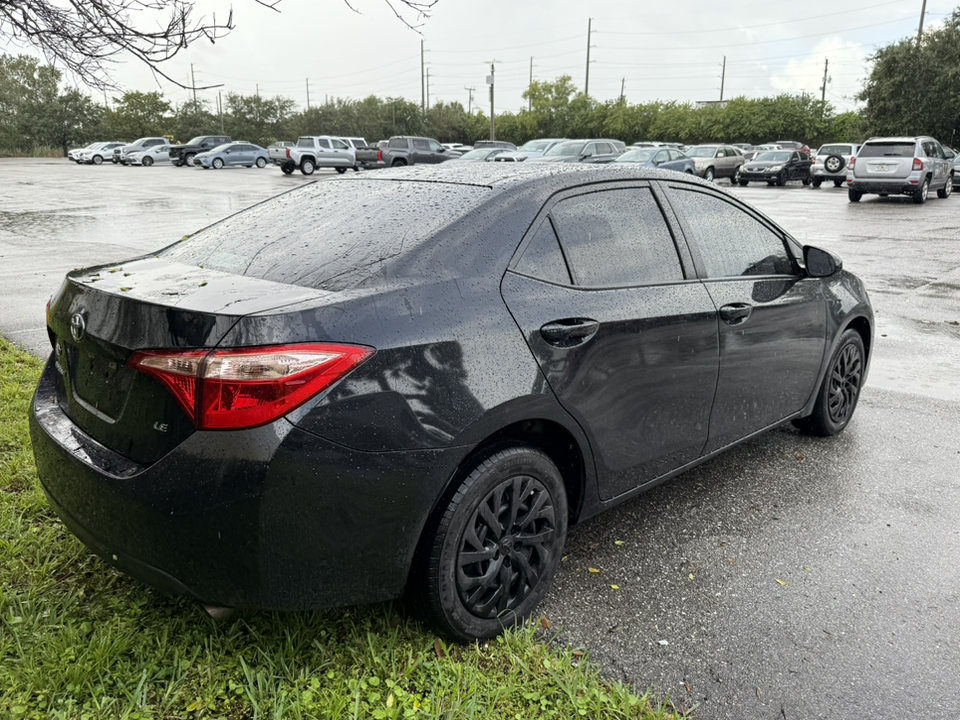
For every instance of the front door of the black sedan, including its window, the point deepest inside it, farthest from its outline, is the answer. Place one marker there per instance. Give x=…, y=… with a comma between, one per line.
x=771, y=316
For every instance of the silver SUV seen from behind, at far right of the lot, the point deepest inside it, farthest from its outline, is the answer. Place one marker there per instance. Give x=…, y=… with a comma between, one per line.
x=900, y=166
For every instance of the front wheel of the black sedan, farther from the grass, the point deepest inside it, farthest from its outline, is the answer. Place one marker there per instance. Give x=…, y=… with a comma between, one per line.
x=840, y=390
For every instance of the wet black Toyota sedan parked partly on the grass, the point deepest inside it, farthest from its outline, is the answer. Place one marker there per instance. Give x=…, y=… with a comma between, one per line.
x=416, y=382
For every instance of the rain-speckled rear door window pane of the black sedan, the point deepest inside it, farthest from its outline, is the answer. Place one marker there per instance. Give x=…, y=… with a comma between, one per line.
x=617, y=238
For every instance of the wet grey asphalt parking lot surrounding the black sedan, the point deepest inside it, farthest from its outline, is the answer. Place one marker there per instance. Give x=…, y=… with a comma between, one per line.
x=790, y=578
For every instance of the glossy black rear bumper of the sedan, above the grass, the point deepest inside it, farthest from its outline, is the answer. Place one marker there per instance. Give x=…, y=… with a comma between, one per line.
x=272, y=518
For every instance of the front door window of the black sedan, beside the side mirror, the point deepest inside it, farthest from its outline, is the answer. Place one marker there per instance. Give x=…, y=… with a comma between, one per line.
x=732, y=243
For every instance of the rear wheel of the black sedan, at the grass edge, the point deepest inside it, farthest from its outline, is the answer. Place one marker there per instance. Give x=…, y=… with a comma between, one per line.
x=476, y=572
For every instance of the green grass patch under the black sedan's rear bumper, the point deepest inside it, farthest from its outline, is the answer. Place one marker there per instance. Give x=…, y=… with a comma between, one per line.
x=80, y=640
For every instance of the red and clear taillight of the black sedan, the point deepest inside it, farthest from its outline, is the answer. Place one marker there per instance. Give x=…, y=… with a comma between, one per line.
x=239, y=388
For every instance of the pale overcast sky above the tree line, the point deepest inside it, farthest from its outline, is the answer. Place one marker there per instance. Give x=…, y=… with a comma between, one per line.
x=648, y=50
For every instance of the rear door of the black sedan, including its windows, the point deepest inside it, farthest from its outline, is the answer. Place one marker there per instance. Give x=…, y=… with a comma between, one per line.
x=625, y=337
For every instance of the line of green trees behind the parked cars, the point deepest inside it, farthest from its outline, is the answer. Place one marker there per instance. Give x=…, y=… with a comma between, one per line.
x=912, y=89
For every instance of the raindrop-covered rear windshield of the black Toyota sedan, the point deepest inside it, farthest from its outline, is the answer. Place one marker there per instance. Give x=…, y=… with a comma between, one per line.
x=330, y=236
